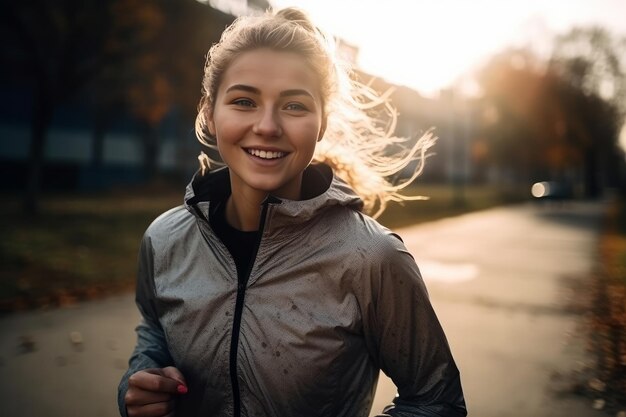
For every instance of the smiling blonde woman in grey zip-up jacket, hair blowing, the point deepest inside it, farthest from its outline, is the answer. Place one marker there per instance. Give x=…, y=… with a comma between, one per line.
x=270, y=293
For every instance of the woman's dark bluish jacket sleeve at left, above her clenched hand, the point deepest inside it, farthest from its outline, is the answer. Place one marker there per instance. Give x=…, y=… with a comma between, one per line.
x=151, y=350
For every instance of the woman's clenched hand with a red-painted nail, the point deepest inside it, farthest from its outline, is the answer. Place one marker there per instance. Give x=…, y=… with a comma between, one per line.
x=152, y=392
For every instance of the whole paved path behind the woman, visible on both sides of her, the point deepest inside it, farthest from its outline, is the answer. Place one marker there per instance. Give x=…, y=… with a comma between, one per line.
x=499, y=280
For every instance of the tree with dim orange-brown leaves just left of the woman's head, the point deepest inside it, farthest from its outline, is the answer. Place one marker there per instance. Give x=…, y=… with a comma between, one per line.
x=163, y=45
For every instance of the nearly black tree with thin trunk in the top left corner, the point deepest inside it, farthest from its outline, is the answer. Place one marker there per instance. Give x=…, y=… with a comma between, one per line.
x=55, y=48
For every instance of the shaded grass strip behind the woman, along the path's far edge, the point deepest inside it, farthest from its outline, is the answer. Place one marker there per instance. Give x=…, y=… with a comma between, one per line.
x=85, y=246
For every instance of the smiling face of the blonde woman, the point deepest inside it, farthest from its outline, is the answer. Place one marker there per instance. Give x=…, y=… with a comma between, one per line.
x=267, y=118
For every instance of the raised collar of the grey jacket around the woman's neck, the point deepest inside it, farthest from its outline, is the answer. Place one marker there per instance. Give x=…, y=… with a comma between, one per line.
x=320, y=187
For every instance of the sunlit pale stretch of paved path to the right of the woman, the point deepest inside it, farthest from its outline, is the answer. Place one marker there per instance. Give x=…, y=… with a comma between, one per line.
x=502, y=282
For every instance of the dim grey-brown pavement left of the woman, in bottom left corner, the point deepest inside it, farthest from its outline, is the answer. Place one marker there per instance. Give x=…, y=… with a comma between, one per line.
x=66, y=362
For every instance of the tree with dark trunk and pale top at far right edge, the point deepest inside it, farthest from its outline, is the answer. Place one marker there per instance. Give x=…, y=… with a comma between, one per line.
x=591, y=63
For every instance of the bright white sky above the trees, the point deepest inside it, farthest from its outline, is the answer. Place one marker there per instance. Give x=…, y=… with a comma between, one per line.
x=429, y=45
